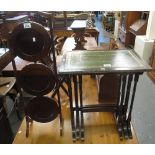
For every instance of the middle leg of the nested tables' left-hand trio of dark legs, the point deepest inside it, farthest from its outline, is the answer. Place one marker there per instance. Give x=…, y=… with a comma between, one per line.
x=76, y=106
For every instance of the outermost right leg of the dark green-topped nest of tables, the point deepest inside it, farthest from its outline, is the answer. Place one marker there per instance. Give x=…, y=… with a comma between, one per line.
x=131, y=105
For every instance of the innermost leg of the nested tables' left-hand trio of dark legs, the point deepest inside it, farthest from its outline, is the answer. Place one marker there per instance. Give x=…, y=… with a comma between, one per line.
x=81, y=106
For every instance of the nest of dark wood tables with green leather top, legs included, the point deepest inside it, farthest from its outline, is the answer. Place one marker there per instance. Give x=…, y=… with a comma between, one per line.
x=125, y=63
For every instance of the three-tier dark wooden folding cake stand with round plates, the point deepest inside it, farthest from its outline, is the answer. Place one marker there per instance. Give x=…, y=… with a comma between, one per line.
x=31, y=42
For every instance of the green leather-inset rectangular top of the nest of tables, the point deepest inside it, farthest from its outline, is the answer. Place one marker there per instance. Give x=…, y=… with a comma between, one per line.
x=89, y=62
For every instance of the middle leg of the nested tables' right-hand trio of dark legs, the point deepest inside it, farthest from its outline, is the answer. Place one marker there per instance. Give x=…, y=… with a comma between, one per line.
x=125, y=106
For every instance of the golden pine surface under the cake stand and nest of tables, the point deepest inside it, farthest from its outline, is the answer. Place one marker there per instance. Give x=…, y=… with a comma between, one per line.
x=100, y=128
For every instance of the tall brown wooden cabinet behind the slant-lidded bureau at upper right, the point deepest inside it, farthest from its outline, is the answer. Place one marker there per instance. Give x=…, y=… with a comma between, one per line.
x=127, y=19
